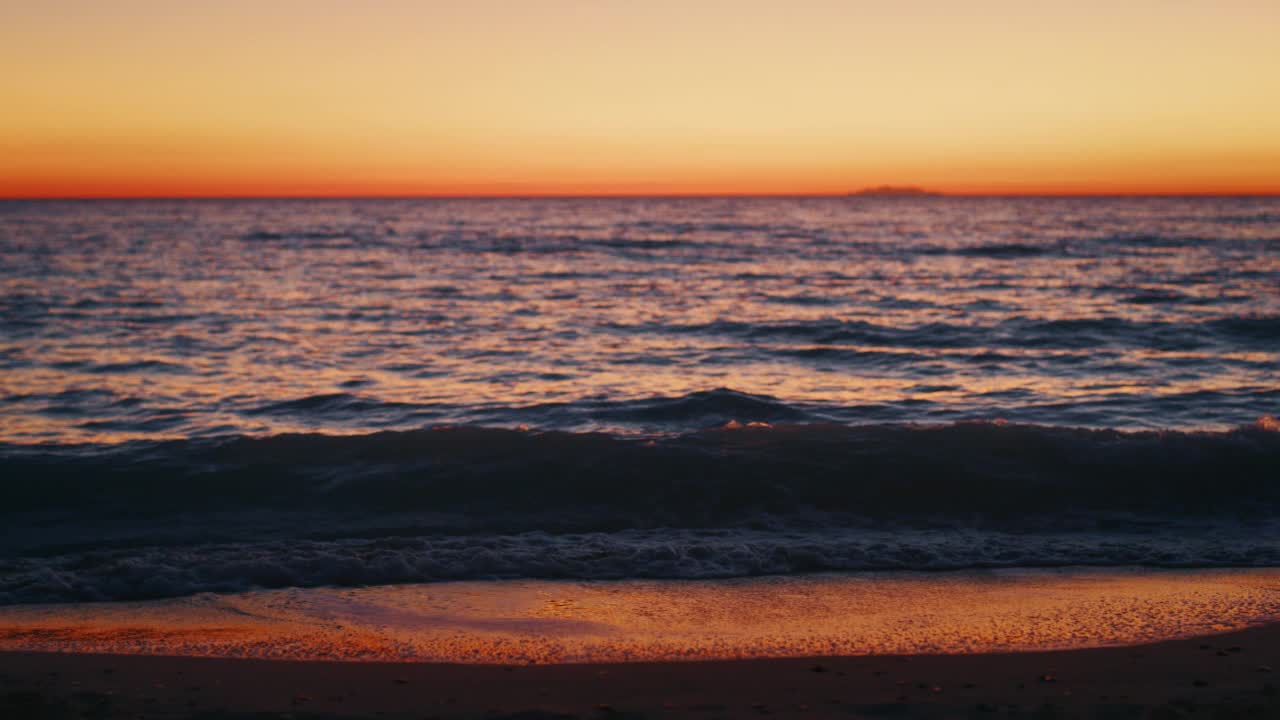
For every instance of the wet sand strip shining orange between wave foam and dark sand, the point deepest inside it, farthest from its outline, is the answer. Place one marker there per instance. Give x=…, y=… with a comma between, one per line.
x=633, y=621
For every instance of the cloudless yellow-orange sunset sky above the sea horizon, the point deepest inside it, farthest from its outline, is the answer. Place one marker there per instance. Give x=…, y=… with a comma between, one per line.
x=282, y=98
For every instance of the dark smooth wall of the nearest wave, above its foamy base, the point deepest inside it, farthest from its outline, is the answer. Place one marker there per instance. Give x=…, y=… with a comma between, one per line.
x=715, y=477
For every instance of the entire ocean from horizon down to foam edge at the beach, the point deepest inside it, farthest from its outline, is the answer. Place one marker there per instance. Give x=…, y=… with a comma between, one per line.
x=232, y=395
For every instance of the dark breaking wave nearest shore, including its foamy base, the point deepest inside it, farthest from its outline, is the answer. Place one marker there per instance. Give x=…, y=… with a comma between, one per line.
x=154, y=520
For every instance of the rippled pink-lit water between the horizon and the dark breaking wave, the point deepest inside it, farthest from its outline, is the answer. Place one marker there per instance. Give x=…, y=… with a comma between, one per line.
x=172, y=320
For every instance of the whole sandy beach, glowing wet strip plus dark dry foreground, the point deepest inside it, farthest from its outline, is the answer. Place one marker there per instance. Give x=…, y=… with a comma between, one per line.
x=1048, y=644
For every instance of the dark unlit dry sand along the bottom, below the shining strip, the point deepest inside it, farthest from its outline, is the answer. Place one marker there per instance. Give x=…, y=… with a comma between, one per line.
x=1226, y=676
